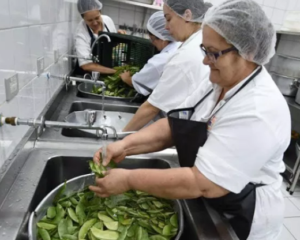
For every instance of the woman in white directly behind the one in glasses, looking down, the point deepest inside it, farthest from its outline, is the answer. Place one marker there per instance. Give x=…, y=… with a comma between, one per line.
x=185, y=70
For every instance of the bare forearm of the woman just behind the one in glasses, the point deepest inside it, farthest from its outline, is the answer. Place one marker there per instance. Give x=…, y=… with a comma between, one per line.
x=144, y=115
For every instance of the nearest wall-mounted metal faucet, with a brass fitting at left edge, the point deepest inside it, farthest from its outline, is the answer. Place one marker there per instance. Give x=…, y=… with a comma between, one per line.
x=41, y=123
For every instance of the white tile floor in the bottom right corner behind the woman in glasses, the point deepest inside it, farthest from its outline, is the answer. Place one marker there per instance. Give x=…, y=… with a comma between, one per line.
x=291, y=229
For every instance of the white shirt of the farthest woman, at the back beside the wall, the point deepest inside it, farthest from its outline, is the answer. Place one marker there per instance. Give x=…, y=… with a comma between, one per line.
x=83, y=38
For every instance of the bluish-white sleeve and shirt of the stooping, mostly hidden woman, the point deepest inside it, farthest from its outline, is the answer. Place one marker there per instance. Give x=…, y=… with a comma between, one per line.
x=152, y=71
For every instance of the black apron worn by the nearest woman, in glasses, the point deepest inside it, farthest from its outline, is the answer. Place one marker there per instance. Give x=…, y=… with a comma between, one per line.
x=188, y=136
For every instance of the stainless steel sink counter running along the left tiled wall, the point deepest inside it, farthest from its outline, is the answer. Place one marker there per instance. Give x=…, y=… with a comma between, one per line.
x=21, y=184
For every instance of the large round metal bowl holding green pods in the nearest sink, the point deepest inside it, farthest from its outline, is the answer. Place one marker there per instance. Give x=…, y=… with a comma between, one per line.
x=75, y=185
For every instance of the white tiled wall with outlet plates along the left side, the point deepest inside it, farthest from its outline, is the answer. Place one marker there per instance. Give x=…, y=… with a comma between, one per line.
x=31, y=29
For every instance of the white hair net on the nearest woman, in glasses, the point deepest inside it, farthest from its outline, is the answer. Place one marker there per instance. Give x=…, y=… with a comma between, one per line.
x=244, y=24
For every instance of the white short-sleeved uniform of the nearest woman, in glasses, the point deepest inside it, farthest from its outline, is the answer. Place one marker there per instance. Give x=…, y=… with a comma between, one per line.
x=246, y=142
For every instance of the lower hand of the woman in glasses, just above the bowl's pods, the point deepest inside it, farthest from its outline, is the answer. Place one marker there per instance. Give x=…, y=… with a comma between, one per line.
x=114, y=182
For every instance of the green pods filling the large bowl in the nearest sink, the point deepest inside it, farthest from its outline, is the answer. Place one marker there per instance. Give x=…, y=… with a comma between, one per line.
x=133, y=215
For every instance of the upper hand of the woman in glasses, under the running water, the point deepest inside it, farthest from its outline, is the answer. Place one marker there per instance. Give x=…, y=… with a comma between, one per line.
x=114, y=151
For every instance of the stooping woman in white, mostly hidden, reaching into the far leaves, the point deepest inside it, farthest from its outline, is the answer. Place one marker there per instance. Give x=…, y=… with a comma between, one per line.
x=146, y=80
